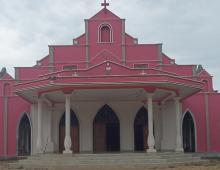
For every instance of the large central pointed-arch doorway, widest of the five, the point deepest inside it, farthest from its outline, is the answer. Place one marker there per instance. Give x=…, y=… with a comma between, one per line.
x=106, y=131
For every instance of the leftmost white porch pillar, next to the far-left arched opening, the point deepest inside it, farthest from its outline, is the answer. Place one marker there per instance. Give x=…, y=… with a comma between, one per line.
x=39, y=126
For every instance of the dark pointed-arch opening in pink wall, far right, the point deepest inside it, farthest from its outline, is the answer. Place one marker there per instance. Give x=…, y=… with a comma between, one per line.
x=188, y=133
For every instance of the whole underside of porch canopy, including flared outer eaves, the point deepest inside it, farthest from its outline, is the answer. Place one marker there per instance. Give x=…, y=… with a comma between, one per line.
x=162, y=92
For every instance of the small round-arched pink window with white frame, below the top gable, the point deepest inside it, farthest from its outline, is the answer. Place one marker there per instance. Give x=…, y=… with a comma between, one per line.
x=105, y=33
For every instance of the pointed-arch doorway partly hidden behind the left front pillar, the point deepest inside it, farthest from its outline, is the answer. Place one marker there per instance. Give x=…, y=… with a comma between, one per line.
x=74, y=132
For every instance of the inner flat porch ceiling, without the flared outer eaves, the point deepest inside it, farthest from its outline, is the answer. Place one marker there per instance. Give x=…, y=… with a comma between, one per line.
x=107, y=95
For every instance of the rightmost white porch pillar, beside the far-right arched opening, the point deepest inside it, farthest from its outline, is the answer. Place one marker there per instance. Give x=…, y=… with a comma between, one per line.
x=179, y=143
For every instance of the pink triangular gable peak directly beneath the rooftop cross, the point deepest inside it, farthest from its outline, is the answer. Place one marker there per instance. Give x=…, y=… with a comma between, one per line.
x=104, y=14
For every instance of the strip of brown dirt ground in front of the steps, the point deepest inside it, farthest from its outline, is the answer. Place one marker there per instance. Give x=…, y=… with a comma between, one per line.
x=213, y=165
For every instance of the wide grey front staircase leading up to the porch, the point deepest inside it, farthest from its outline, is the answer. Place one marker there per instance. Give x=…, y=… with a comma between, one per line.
x=111, y=160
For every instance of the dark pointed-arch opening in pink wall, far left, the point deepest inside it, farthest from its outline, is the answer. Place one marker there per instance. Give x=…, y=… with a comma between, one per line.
x=24, y=137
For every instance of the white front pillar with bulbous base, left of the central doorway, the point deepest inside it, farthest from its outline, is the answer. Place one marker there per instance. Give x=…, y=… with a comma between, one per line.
x=67, y=140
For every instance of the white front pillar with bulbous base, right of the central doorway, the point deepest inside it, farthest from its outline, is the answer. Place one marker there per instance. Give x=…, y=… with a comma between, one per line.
x=150, y=139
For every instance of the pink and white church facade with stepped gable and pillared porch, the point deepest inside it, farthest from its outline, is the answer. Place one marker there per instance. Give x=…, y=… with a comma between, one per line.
x=108, y=93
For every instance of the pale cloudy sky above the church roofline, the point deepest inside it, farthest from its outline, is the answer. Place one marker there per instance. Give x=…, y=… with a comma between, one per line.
x=189, y=29
